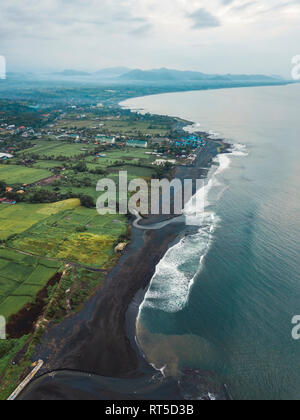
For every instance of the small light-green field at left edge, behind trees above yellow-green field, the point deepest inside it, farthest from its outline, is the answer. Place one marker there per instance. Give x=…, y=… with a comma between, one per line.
x=14, y=174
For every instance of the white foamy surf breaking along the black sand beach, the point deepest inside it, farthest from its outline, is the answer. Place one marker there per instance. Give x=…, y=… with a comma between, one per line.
x=175, y=274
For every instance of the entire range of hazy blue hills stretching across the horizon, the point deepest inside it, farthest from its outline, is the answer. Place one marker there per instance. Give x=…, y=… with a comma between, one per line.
x=164, y=77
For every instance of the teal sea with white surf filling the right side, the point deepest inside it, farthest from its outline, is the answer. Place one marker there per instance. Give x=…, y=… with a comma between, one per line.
x=223, y=299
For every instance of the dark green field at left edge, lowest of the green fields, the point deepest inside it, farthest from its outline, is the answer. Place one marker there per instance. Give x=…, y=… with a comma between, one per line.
x=21, y=278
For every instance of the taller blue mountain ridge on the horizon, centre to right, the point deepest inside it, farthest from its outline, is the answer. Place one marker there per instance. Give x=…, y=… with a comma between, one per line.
x=164, y=75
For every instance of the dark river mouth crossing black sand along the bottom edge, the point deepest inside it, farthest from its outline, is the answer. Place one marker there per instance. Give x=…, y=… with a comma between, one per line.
x=72, y=385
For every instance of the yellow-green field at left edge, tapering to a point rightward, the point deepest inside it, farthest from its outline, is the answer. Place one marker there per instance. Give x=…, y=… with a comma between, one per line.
x=20, y=217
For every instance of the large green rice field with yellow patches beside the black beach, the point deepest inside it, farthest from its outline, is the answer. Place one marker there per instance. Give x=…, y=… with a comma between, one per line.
x=80, y=235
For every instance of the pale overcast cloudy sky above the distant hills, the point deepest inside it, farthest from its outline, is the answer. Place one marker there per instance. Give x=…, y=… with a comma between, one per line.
x=215, y=36
